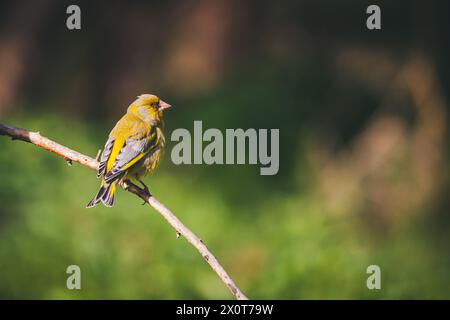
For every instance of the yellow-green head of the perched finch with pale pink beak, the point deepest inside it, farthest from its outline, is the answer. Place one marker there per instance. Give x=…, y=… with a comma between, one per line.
x=148, y=107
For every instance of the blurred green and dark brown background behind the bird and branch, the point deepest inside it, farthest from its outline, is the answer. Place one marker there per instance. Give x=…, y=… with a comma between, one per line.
x=364, y=158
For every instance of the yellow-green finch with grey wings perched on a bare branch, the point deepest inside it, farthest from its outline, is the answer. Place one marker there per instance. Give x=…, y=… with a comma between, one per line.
x=134, y=148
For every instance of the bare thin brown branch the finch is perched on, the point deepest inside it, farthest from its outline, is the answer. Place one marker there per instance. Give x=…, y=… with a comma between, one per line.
x=181, y=230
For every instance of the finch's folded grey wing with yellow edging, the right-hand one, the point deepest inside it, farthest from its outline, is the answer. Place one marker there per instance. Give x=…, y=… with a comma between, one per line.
x=127, y=152
